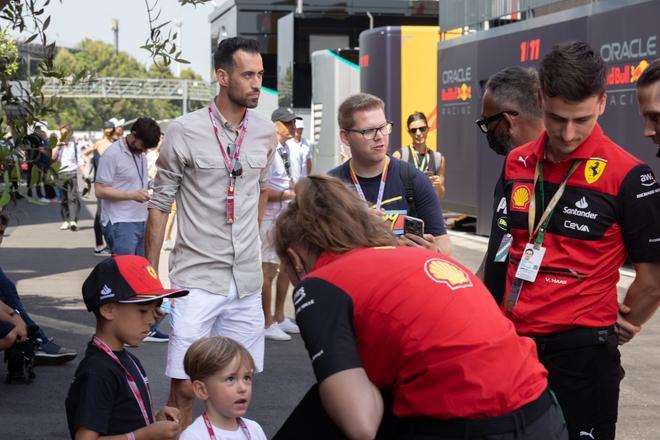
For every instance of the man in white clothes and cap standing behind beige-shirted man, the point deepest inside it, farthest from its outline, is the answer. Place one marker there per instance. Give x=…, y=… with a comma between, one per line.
x=280, y=191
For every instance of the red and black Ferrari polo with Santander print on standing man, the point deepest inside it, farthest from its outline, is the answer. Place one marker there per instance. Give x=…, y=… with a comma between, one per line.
x=610, y=209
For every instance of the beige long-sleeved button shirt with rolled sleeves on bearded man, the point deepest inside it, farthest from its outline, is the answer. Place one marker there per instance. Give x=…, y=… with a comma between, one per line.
x=208, y=251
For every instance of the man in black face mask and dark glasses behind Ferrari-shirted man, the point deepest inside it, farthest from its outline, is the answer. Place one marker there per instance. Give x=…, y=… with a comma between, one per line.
x=510, y=117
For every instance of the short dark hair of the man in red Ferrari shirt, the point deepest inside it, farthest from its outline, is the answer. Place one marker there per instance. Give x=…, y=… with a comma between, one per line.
x=573, y=71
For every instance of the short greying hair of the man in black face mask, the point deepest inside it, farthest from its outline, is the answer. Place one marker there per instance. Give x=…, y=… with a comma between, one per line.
x=516, y=87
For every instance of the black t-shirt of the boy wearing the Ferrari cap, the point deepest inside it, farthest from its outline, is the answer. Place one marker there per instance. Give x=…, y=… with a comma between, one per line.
x=100, y=398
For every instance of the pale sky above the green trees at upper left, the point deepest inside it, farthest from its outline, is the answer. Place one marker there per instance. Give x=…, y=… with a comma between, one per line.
x=74, y=20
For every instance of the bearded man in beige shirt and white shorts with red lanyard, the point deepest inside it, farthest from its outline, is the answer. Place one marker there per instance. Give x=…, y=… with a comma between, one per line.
x=217, y=261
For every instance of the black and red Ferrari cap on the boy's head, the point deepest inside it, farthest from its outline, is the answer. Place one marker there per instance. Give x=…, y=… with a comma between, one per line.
x=124, y=279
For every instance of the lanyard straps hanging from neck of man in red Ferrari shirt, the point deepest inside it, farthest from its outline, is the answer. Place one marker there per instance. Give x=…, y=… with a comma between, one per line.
x=541, y=228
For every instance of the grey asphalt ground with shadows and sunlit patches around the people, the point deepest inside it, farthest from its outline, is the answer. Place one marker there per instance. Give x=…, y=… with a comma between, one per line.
x=49, y=266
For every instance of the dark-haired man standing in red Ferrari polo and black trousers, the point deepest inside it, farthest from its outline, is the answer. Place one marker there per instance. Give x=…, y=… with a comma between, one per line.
x=581, y=204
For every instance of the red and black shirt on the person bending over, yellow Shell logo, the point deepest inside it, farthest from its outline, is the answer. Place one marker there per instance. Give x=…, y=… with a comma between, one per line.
x=426, y=330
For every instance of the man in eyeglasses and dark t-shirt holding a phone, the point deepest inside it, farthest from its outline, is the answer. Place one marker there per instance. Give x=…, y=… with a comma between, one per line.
x=387, y=184
